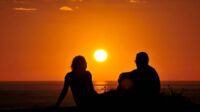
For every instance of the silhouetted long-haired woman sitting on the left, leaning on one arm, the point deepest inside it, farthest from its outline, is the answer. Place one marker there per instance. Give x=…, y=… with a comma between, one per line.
x=80, y=82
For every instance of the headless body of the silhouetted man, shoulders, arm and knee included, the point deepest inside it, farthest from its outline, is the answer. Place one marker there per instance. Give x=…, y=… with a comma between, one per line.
x=144, y=82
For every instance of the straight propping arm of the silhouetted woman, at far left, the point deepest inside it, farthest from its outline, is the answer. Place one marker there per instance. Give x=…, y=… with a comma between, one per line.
x=64, y=91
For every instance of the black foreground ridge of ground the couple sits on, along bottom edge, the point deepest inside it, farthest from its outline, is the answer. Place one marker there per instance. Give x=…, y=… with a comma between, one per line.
x=164, y=102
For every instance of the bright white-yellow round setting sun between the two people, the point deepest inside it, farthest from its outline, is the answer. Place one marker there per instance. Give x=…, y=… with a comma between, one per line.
x=100, y=55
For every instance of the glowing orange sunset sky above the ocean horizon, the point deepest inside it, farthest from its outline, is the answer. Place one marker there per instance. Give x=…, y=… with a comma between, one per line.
x=39, y=38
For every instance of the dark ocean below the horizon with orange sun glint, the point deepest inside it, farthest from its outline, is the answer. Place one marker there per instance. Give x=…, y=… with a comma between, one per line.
x=19, y=95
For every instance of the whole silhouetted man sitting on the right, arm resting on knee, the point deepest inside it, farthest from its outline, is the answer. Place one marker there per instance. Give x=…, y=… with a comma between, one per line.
x=143, y=81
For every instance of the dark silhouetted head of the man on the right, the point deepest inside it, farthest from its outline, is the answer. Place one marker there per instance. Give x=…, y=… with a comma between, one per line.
x=142, y=60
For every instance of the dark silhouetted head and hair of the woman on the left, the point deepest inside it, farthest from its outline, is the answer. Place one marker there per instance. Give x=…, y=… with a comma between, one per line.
x=79, y=63
